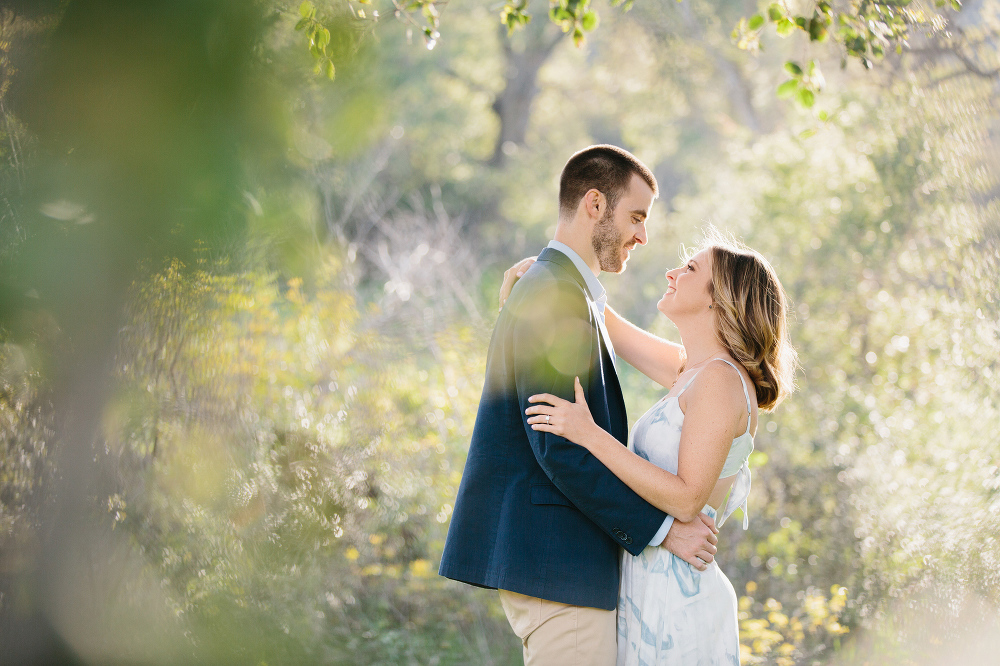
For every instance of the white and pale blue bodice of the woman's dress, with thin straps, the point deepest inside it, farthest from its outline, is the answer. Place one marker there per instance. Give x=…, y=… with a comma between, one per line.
x=656, y=437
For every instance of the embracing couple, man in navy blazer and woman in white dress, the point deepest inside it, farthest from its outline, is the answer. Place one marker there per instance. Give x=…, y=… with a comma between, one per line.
x=551, y=494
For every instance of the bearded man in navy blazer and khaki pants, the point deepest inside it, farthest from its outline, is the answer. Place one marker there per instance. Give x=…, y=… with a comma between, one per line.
x=537, y=516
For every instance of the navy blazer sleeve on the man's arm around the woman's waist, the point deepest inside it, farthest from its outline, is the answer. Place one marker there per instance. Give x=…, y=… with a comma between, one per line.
x=553, y=342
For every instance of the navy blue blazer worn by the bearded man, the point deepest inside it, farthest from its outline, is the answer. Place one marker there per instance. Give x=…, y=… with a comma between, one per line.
x=536, y=513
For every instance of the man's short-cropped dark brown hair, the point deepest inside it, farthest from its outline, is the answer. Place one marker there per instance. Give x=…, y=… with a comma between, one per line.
x=605, y=168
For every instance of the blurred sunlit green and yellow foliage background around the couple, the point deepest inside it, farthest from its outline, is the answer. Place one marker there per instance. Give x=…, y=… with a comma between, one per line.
x=244, y=313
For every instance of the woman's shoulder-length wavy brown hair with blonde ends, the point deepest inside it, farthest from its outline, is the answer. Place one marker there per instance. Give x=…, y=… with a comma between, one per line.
x=751, y=317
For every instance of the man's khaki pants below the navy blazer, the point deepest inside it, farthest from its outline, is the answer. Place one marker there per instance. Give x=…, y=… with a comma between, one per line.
x=555, y=634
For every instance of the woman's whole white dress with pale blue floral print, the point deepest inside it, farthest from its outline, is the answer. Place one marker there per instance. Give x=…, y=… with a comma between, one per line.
x=668, y=611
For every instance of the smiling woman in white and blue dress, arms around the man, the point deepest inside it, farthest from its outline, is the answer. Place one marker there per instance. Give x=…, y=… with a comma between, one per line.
x=689, y=452
